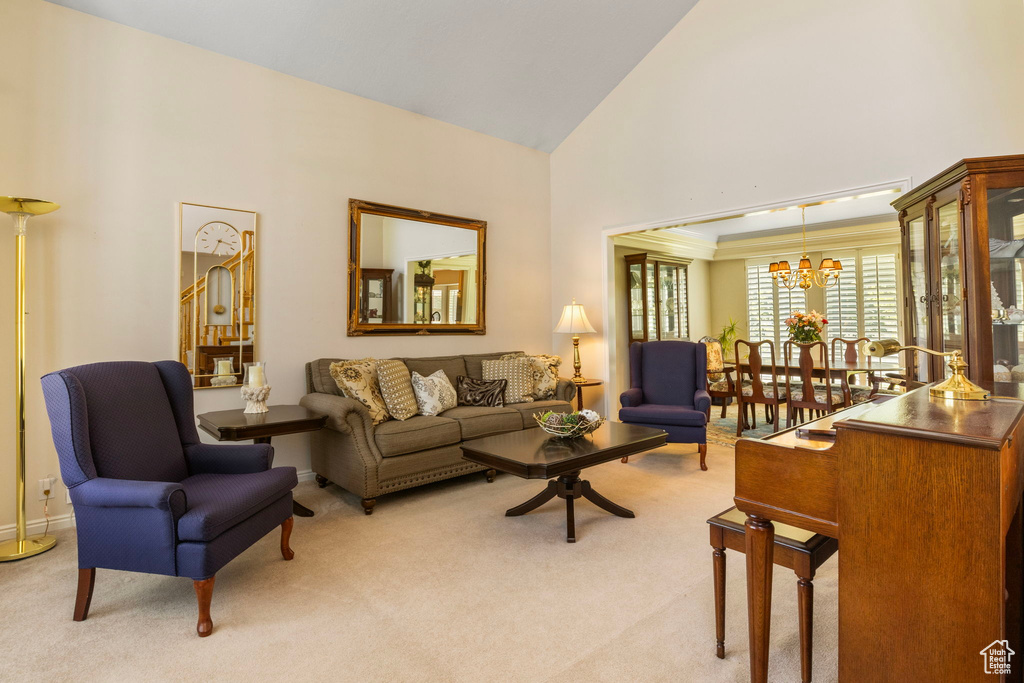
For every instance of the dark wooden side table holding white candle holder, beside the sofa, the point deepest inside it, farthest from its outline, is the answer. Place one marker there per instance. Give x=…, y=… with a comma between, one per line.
x=237, y=425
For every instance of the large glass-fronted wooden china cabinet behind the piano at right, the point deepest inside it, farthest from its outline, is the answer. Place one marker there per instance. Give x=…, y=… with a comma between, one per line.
x=963, y=245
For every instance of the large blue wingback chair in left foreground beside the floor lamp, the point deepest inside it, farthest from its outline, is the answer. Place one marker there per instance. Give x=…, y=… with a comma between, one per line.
x=148, y=496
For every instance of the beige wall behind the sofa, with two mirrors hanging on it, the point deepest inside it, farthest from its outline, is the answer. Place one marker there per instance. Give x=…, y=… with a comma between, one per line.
x=118, y=126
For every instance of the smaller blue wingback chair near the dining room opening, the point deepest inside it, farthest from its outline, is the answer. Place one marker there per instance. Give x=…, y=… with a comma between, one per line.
x=669, y=391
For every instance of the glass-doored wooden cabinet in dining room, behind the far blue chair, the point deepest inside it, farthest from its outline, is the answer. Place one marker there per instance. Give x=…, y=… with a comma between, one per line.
x=657, y=297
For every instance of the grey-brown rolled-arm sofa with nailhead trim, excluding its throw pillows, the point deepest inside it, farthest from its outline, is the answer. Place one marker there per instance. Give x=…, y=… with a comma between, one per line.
x=371, y=461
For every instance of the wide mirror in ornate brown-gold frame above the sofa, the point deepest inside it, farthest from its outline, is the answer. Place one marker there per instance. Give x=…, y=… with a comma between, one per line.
x=414, y=272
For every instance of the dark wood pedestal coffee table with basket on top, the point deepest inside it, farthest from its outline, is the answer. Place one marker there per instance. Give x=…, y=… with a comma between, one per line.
x=533, y=454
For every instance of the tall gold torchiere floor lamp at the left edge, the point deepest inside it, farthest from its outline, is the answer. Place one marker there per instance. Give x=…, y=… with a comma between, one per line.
x=21, y=209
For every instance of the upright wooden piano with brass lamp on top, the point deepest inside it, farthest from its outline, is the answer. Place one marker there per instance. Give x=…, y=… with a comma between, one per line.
x=925, y=499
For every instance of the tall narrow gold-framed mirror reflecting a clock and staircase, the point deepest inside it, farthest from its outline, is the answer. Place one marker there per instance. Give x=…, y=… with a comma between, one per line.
x=218, y=287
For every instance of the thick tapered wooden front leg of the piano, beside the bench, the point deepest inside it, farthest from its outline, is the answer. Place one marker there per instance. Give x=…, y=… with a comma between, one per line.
x=760, y=551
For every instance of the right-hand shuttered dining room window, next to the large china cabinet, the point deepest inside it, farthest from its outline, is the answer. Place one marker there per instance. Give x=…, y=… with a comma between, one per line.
x=866, y=304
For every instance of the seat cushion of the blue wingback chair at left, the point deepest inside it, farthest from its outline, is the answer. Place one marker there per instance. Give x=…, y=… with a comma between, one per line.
x=219, y=502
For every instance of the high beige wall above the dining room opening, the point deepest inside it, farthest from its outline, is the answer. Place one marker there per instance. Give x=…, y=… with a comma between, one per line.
x=747, y=104
